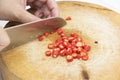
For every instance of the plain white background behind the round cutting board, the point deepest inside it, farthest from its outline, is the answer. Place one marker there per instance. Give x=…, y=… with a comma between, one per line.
x=112, y=4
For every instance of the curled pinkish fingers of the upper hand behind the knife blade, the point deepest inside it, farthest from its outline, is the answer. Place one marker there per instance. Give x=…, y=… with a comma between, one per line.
x=47, y=7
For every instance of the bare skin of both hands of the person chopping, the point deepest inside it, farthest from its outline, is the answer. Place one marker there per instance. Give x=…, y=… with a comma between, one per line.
x=14, y=10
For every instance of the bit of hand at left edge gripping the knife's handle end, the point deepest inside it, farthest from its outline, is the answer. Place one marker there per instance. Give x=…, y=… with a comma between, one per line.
x=4, y=39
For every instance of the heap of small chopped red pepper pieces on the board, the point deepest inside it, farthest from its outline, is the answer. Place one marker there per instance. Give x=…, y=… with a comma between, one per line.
x=71, y=46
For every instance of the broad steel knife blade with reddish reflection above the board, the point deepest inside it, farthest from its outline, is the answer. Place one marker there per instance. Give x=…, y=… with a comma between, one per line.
x=27, y=32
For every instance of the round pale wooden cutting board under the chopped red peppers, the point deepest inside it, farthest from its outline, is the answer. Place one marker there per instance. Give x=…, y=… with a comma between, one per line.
x=95, y=24
